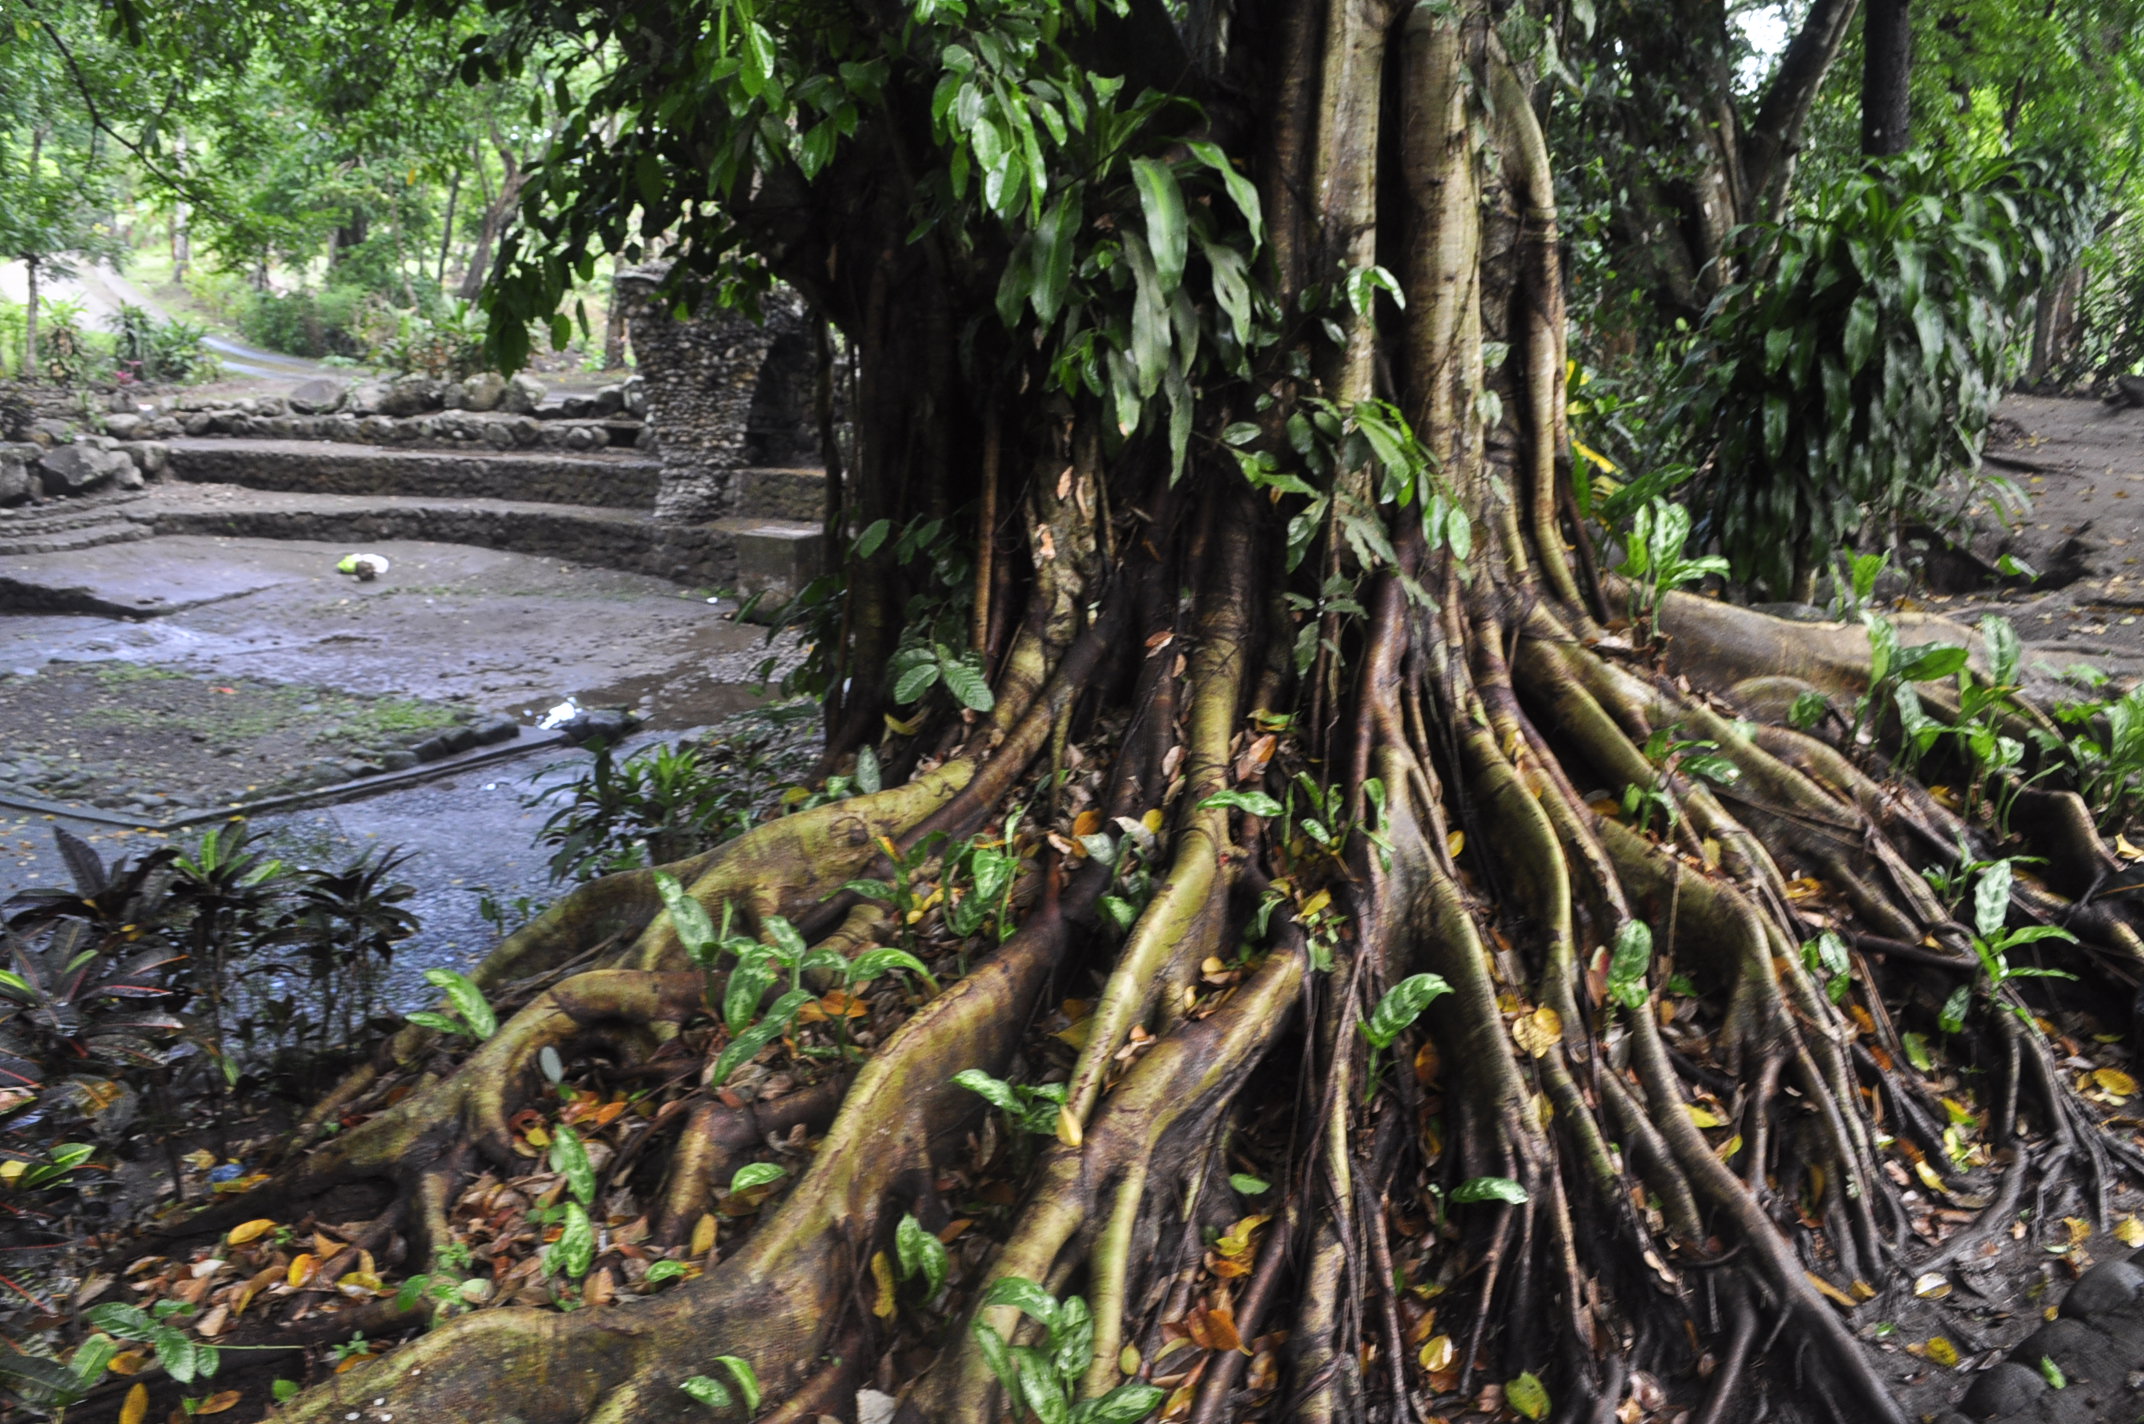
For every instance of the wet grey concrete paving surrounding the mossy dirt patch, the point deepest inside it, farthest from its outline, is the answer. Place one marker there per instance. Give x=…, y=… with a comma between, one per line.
x=473, y=627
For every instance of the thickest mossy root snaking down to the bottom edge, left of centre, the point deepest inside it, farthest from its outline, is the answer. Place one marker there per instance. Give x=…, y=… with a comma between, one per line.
x=777, y=1301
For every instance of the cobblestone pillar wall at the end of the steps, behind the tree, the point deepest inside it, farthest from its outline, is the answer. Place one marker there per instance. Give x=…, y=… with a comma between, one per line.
x=715, y=398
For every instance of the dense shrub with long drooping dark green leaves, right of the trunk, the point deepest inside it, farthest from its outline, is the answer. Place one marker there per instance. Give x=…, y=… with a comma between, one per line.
x=1834, y=389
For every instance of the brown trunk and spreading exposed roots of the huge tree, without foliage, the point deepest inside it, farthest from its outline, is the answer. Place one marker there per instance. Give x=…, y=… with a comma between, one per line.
x=1577, y=1166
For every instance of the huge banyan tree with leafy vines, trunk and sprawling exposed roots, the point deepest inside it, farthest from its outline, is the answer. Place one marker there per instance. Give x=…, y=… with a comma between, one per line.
x=1375, y=951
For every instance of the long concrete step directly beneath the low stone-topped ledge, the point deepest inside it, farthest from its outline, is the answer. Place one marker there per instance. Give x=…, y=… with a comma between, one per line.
x=531, y=477
